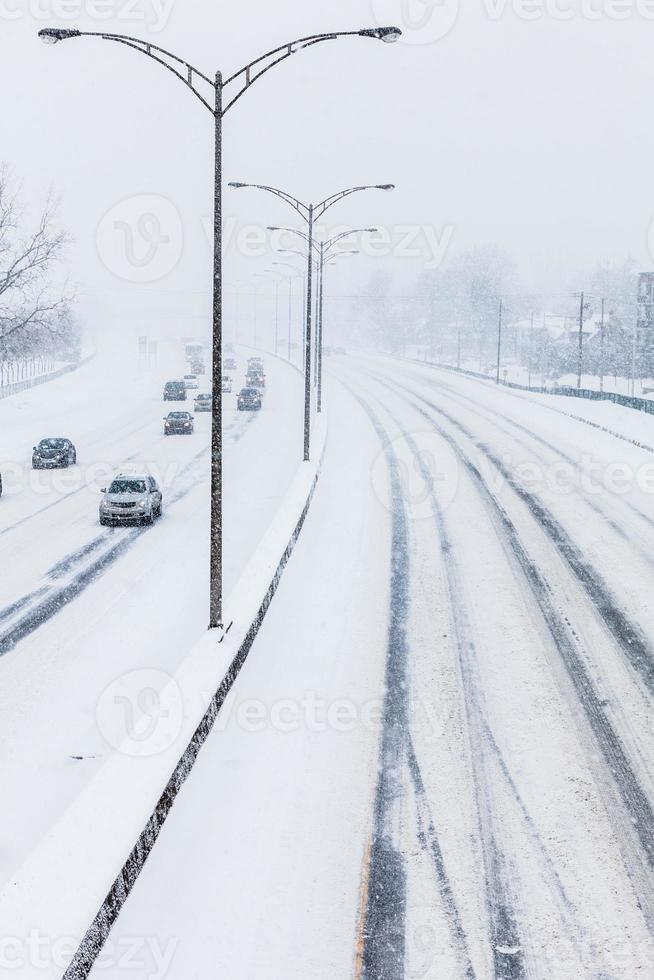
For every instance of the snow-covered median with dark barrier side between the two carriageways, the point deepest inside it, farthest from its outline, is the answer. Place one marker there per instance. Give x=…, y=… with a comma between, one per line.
x=52, y=893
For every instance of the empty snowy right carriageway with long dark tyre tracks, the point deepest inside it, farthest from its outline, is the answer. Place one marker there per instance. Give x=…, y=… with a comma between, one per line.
x=437, y=761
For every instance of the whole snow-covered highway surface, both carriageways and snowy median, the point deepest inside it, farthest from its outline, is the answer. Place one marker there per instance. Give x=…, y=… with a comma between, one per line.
x=437, y=758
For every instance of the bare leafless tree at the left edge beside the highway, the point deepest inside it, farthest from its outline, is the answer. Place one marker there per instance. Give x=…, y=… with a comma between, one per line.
x=37, y=325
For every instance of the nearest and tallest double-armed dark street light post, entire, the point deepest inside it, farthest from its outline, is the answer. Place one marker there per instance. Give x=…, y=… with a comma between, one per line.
x=218, y=95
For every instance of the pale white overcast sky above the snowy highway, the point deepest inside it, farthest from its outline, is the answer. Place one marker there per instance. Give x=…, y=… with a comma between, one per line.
x=512, y=122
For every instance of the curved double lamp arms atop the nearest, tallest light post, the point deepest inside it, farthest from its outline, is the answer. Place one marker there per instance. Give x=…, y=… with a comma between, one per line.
x=248, y=74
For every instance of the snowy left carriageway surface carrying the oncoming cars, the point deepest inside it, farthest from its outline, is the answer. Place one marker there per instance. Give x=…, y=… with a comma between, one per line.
x=82, y=605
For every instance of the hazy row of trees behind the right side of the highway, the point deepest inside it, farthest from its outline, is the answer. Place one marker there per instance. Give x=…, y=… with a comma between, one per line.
x=452, y=315
